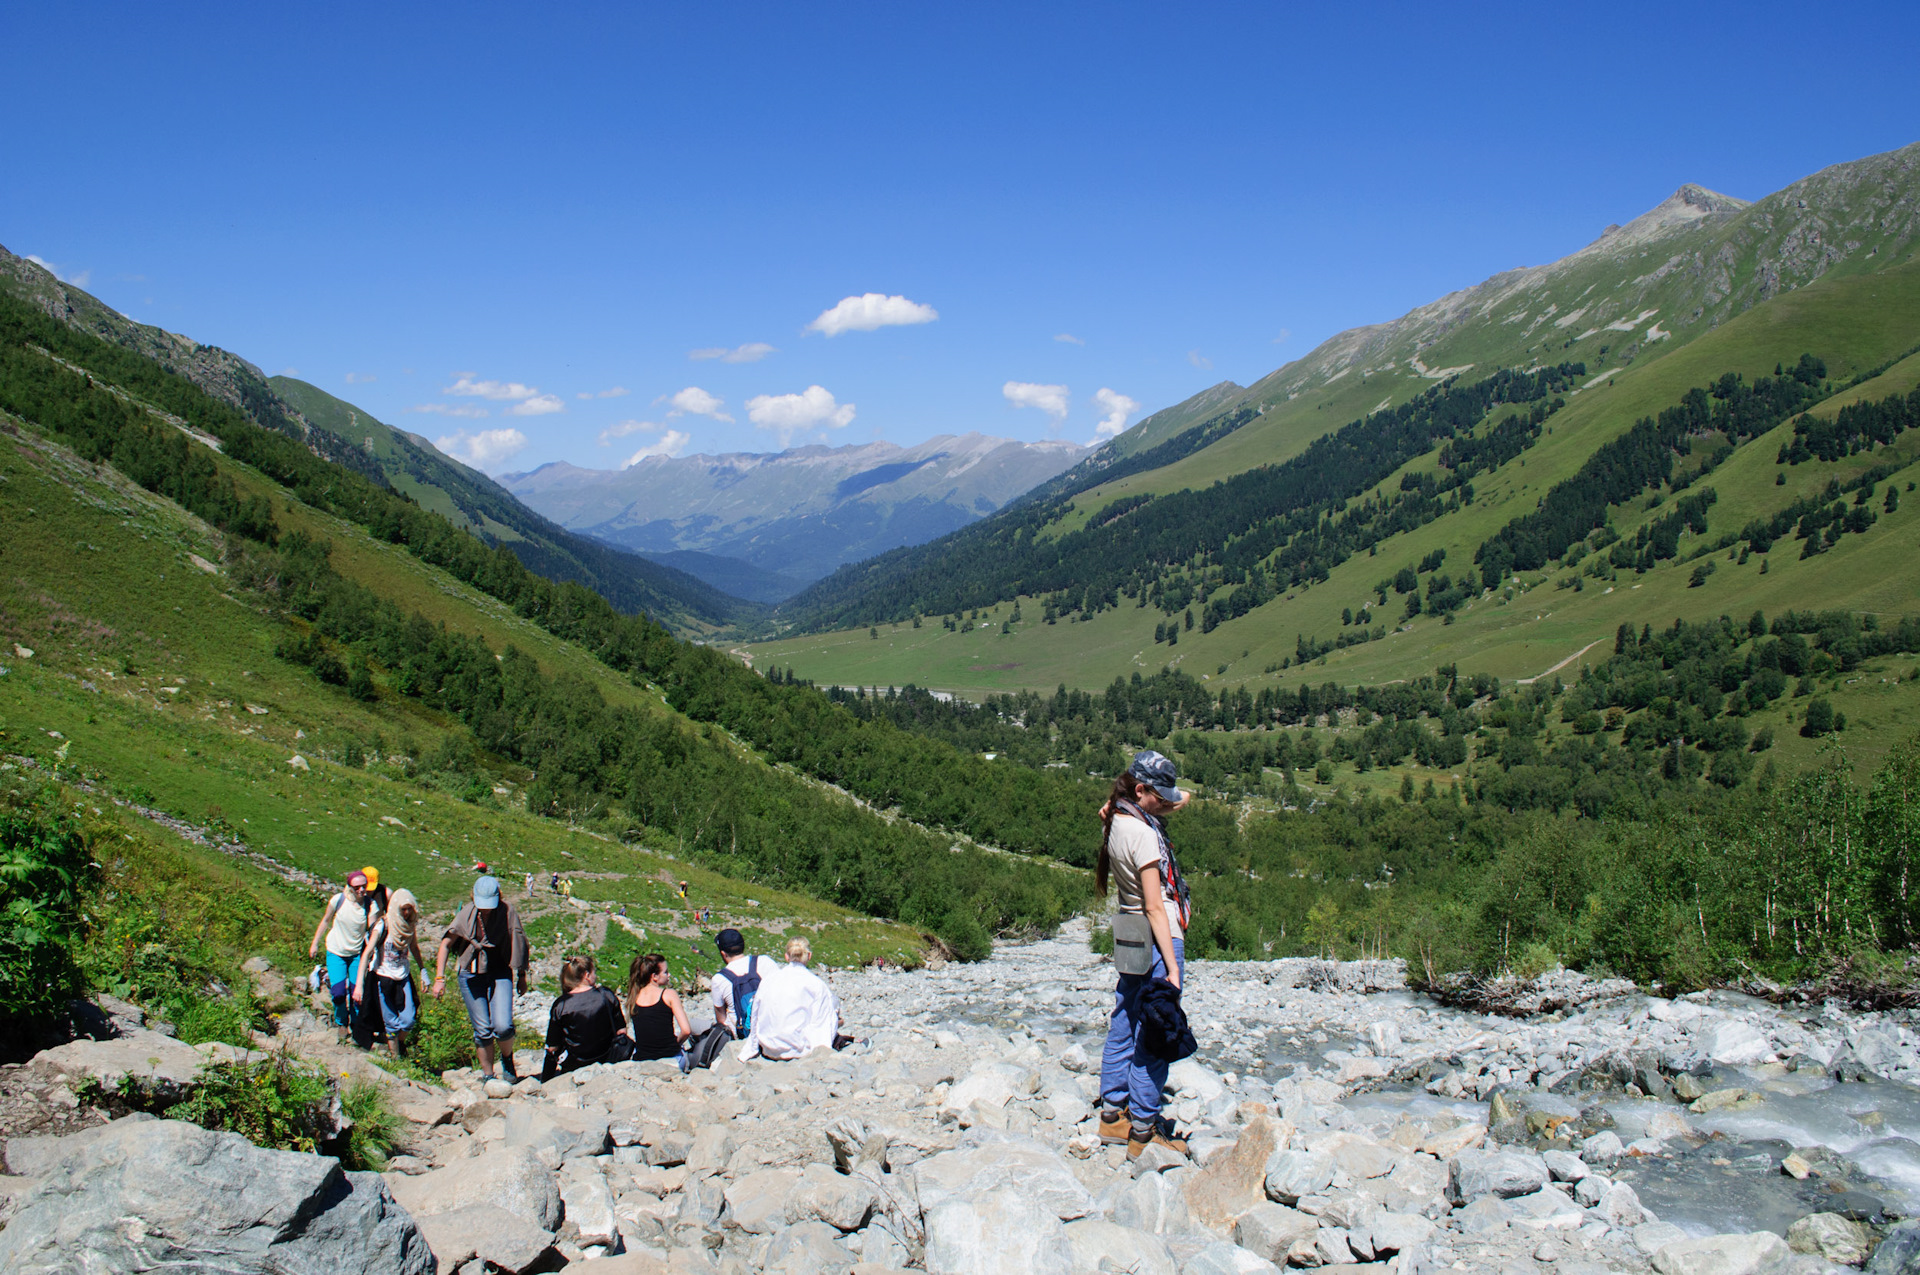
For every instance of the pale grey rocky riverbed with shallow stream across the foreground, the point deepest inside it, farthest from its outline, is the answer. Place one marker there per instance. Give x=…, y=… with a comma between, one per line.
x=1339, y=1122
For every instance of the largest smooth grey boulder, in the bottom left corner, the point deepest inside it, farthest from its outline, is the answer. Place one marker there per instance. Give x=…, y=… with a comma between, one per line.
x=164, y=1193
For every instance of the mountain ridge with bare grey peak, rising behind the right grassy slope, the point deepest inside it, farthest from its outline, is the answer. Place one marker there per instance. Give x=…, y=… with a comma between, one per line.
x=1620, y=310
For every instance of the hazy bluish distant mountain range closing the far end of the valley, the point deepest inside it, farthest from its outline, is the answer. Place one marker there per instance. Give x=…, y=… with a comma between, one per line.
x=765, y=525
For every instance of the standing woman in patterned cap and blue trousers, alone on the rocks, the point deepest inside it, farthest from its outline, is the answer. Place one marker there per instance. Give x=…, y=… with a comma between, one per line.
x=1136, y=854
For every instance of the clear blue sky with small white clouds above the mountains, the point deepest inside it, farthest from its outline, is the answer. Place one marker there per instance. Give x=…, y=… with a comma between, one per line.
x=521, y=210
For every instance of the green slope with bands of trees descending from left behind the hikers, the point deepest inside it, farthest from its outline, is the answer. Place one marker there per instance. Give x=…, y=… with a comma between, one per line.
x=300, y=610
